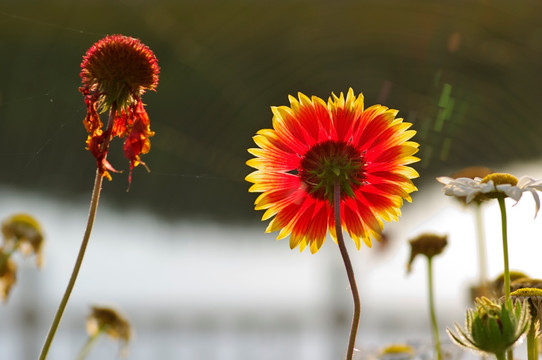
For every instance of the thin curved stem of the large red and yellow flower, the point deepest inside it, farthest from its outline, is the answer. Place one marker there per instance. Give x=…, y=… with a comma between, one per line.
x=349, y=270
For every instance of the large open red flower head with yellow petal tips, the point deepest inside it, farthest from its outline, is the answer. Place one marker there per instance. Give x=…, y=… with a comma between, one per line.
x=314, y=145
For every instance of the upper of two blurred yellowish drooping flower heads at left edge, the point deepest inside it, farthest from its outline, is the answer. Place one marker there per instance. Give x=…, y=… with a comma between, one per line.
x=22, y=231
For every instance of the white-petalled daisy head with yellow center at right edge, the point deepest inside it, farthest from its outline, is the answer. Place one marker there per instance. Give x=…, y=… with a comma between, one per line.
x=492, y=186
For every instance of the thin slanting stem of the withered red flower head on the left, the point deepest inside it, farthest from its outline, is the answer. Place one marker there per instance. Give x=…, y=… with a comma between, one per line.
x=90, y=222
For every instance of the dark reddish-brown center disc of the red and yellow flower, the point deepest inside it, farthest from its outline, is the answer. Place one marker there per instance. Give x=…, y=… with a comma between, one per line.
x=328, y=162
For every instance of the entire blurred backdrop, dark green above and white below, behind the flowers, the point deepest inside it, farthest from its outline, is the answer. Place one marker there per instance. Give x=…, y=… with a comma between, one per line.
x=183, y=254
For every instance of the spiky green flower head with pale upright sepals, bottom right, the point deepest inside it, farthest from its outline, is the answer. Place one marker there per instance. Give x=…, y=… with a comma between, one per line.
x=493, y=327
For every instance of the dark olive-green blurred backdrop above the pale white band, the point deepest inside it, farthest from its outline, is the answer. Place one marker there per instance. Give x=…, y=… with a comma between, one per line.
x=466, y=73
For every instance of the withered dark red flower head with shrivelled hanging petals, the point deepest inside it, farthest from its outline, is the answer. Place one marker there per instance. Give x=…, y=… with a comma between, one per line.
x=115, y=72
